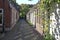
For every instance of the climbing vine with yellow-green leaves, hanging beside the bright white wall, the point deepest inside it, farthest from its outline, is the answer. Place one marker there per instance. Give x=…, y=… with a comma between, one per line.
x=46, y=7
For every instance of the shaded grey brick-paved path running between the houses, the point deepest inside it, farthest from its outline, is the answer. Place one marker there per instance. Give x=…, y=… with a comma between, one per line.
x=22, y=31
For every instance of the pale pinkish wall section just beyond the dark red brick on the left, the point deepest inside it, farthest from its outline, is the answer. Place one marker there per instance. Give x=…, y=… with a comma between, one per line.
x=13, y=15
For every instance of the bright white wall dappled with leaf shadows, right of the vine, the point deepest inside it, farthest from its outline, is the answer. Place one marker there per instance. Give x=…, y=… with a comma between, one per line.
x=54, y=27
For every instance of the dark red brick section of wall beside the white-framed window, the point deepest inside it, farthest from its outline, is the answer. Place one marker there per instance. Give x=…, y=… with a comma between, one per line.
x=5, y=6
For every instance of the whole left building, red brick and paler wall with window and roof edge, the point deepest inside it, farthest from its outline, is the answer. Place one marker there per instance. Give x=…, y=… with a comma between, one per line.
x=9, y=14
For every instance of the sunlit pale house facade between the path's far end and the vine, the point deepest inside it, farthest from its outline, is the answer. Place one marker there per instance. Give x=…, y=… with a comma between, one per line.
x=33, y=17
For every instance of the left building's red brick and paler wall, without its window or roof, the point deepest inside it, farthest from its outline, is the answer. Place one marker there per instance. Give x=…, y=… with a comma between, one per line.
x=11, y=15
